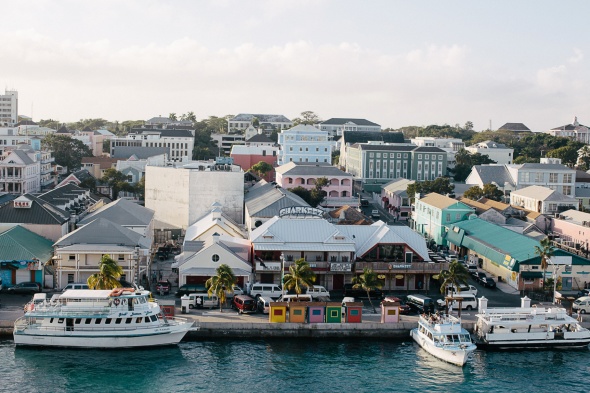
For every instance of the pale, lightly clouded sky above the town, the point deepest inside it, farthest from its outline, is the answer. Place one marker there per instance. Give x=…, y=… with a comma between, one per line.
x=395, y=63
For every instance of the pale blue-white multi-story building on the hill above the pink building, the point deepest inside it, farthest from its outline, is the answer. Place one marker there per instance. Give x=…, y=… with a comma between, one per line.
x=304, y=143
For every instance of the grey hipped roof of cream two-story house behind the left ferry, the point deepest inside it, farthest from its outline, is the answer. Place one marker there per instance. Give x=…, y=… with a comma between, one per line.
x=103, y=231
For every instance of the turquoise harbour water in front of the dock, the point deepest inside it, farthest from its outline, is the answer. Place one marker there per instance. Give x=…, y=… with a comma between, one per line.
x=288, y=366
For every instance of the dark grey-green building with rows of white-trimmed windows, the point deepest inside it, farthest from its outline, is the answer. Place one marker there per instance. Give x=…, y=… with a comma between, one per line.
x=377, y=163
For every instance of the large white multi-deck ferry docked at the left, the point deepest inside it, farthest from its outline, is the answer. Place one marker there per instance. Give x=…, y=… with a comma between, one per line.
x=118, y=318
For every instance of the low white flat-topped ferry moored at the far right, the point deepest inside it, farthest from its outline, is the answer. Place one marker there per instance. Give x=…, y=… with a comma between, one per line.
x=528, y=327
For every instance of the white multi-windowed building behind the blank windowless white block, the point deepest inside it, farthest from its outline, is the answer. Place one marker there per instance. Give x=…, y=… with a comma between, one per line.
x=179, y=141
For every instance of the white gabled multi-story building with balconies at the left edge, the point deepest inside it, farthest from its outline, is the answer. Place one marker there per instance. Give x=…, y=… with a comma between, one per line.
x=20, y=171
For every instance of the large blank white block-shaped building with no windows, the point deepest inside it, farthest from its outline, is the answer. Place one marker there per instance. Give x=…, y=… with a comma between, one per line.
x=182, y=193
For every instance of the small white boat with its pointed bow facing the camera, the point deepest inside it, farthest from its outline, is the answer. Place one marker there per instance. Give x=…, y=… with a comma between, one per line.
x=442, y=336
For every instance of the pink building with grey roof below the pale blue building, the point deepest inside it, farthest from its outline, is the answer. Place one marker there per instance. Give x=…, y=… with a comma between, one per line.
x=304, y=174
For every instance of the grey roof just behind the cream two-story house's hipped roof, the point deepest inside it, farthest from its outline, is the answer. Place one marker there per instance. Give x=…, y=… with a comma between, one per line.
x=122, y=212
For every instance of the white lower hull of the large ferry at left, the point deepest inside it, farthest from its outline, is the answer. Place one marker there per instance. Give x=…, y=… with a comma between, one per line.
x=114, y=340
